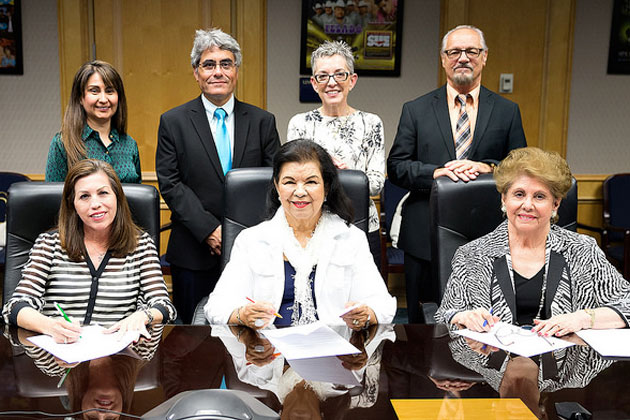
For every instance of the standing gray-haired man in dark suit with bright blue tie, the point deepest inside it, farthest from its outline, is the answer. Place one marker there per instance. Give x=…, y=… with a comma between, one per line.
x=198, y=143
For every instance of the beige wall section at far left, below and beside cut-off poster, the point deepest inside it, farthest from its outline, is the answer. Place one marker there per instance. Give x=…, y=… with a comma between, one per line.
x=30, y=112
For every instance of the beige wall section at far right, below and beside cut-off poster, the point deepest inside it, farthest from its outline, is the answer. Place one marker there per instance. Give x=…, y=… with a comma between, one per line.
x=598, y=139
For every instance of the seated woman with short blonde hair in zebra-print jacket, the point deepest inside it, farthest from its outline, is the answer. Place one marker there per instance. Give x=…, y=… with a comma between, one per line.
x=530, y=271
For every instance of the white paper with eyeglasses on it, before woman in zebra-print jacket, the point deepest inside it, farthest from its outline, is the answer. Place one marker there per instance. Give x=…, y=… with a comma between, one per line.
x=515, y=339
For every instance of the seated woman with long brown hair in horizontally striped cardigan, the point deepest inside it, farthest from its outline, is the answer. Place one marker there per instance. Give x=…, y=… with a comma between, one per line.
x=98, y=266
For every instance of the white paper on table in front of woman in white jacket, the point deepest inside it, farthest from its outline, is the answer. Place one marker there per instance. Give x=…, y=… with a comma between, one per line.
x=306, y=341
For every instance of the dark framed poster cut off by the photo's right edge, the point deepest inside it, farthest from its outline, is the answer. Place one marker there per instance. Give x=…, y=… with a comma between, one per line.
x=619, y=49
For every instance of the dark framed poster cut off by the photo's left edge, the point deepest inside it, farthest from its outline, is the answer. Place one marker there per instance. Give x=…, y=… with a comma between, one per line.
x=11, y=59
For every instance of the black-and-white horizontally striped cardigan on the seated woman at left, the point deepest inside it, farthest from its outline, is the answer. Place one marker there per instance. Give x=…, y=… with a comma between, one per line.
x=125, y=285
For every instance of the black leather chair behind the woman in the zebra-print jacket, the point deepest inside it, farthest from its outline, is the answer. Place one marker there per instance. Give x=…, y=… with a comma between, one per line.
x=461, y=212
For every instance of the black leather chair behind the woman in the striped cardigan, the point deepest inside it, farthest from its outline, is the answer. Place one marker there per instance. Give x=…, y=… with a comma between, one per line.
x=33, y=208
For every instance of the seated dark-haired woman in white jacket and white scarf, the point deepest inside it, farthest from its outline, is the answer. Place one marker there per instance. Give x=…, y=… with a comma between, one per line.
x=307, y=262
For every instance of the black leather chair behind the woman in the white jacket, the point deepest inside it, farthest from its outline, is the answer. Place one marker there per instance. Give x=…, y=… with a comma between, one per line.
x=245, y=197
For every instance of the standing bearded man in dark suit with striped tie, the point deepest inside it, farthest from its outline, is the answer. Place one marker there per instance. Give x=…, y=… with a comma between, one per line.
x=459, y=130
